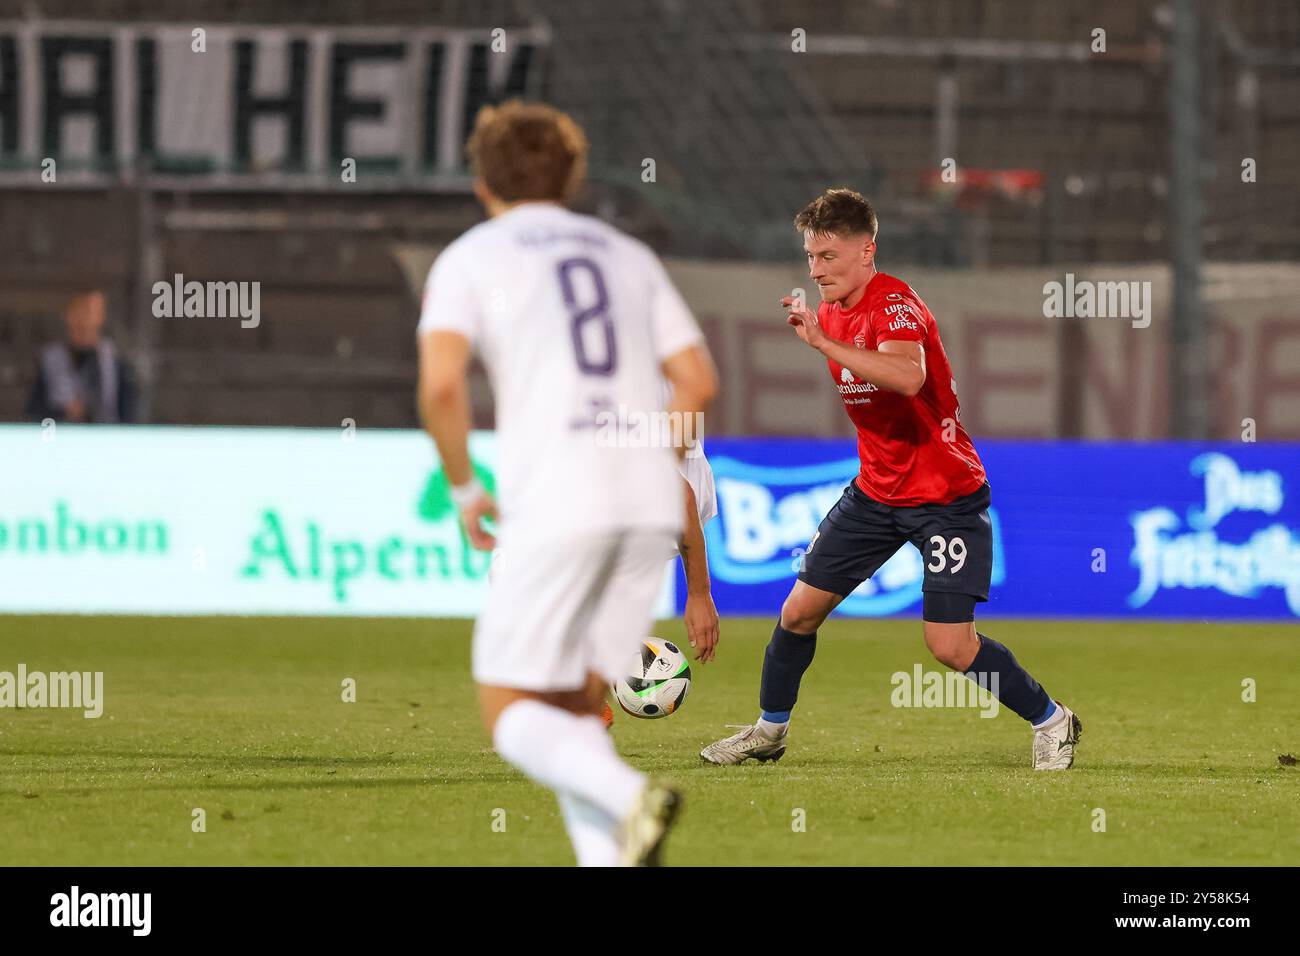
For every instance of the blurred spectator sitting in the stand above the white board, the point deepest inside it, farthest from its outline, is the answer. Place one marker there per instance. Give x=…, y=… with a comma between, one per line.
x=83, y=379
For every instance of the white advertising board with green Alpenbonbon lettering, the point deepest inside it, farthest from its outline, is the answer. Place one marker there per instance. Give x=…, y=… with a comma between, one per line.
x=236, y=521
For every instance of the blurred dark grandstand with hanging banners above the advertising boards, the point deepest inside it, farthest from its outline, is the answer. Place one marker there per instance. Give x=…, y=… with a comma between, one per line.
x=1008, y=144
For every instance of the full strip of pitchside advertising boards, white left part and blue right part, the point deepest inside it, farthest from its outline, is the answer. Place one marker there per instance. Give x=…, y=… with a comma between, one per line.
x=324, y=522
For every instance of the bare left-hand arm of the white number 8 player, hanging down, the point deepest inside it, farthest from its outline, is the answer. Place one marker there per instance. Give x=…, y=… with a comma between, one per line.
x=444, y=401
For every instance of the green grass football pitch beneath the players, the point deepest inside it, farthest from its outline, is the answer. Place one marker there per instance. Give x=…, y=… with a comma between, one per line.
x=245, y=720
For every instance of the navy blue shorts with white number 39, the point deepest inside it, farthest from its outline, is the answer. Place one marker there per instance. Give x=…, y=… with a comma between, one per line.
x=861, y=534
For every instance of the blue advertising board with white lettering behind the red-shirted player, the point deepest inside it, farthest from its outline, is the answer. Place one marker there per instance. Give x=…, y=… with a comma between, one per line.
x=1081, y=530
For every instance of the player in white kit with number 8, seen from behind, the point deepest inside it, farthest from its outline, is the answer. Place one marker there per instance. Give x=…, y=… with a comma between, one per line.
x=575, y=323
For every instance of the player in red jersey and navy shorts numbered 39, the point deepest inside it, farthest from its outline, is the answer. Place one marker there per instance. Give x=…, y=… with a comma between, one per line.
x=921, y=481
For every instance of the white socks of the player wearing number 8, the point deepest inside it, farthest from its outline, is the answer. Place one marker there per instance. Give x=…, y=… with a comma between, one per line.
x=575, y=758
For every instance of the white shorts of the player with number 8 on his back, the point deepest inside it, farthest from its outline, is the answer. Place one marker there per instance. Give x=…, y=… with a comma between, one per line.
x=561, y=608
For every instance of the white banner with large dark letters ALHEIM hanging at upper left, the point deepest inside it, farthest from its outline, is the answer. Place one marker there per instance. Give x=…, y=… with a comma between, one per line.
x=236, y=106
